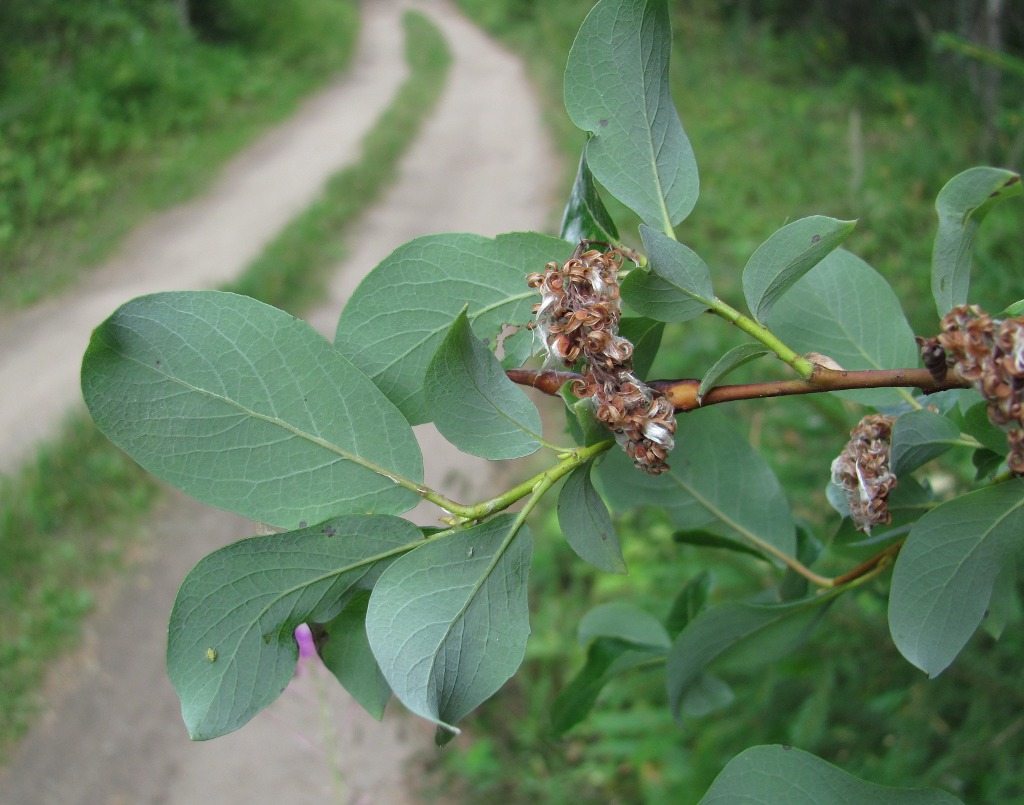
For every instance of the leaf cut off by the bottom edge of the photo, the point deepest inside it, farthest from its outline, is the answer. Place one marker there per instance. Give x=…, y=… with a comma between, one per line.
x=774, y=775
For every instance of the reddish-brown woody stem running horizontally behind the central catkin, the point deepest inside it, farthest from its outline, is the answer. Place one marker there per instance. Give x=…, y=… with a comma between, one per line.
x=684, y=394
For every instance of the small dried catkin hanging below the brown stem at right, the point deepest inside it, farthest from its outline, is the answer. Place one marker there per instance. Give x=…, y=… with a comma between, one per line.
x=863, y=472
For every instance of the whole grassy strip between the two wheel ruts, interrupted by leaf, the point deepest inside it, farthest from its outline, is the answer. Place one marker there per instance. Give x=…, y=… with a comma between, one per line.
x=67, y=521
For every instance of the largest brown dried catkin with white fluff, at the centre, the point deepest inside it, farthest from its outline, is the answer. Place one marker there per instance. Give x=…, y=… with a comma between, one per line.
x=578, y=318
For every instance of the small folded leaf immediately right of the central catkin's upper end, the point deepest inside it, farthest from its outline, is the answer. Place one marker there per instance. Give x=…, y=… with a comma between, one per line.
x=676, y=288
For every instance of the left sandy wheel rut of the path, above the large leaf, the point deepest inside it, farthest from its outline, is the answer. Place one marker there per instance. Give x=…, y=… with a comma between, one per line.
x=201, y=244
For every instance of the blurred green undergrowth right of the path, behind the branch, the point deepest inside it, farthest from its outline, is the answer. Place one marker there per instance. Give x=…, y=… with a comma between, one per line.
x=793, y=109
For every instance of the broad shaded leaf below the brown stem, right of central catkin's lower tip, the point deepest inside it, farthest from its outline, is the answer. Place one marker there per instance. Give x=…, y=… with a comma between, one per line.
x=717, y=483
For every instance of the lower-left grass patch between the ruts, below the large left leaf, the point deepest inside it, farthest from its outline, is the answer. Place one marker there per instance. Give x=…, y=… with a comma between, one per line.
x=66, y=525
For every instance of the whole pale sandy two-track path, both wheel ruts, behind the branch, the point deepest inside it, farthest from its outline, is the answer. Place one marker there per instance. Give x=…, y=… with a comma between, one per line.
x=113, y=734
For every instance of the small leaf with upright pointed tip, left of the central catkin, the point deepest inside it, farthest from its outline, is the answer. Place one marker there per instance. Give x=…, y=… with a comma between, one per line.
x=474, y=404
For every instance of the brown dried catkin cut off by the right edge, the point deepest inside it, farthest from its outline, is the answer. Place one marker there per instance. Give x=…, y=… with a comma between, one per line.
x=990, y=354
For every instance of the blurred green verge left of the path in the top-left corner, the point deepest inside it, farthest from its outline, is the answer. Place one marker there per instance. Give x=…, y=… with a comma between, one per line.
x=111, y=109
